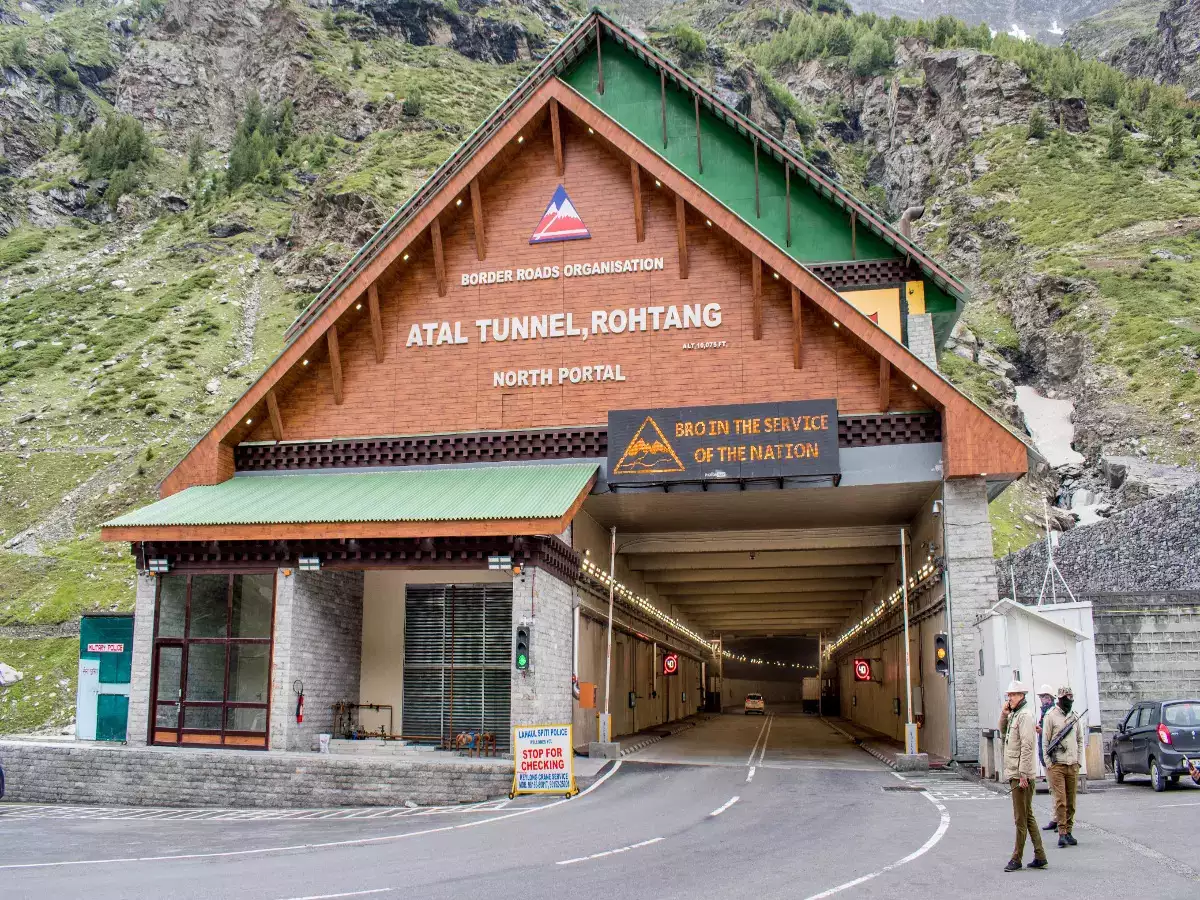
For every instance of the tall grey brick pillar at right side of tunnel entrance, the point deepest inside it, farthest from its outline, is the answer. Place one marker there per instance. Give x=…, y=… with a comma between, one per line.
x=973, y=575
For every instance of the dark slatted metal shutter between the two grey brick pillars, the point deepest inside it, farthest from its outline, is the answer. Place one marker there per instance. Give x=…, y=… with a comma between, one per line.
x=458, y=645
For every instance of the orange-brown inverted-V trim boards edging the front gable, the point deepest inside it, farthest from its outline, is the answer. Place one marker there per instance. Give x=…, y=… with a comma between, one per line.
x=976, y=445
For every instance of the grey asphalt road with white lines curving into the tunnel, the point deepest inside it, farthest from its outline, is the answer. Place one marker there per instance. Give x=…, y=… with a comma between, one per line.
x=740, y=807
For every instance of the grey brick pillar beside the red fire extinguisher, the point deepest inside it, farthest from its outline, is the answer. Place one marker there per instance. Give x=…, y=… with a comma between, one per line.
x=319, y=639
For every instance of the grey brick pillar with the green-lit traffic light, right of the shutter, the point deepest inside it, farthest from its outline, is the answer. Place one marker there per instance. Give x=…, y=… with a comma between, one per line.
x=543, y=695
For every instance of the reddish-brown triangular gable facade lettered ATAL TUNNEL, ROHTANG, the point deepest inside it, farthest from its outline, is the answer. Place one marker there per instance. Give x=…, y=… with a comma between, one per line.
x=771, y=329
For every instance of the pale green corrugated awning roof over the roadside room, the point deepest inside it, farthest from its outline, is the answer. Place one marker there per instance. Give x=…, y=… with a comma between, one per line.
x=439, y=495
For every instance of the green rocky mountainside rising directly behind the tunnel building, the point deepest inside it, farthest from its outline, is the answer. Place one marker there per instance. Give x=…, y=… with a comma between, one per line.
x=179, y=179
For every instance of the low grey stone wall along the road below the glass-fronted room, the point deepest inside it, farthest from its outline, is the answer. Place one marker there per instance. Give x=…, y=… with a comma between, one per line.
x=169, y=777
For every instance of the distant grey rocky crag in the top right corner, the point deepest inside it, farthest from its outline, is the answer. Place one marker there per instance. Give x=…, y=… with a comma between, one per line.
x=1147, y=39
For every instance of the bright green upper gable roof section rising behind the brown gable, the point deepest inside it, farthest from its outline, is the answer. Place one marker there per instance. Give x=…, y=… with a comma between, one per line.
x=820, y=209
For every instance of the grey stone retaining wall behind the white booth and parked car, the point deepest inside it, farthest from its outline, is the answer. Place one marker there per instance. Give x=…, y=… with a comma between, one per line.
x=1142, y=572
